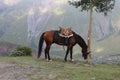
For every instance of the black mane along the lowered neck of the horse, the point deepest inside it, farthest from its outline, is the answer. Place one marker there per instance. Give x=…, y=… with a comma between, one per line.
x=80, y=40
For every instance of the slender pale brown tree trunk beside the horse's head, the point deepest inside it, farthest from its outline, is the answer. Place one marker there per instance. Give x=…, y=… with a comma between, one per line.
x=89, y=31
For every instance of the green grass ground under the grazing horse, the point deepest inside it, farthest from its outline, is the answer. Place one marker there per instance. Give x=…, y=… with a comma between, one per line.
x=60, y=70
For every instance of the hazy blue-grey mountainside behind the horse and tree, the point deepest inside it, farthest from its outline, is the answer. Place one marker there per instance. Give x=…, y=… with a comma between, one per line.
x=23, y=21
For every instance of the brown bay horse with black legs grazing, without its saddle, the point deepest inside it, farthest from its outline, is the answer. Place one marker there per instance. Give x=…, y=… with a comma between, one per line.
x=52, y=36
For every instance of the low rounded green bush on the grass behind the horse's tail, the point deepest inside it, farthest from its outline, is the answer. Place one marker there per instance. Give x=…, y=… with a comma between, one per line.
x=21, y=51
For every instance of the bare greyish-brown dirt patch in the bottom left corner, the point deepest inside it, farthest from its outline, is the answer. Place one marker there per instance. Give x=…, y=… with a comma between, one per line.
x=11, y=71
